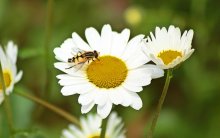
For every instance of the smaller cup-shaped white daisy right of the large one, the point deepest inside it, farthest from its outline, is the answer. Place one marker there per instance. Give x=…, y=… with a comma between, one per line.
x=168, y=48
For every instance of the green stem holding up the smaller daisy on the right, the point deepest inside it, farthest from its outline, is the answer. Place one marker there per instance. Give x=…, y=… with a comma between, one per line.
x=160, y=104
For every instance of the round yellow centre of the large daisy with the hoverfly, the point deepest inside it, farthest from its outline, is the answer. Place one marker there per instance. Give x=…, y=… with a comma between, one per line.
x=107, y=72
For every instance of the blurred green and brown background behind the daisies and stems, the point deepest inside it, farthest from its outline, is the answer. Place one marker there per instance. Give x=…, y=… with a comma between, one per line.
x=192, y=106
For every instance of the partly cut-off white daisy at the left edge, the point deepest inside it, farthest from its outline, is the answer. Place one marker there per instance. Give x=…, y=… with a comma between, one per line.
x=8, y=61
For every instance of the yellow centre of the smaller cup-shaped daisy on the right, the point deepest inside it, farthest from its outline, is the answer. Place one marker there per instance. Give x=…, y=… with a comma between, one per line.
x=169, y=55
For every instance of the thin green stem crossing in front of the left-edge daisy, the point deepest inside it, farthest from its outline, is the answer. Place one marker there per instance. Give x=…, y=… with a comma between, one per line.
x=7, y=105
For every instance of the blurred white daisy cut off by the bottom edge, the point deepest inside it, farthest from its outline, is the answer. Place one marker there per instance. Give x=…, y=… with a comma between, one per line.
x=90, y=128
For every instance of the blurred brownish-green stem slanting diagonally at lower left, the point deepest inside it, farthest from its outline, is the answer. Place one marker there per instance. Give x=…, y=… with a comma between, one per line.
x=53, y=108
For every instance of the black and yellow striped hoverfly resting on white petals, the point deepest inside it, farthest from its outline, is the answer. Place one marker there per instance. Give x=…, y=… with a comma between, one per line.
x=82, y=57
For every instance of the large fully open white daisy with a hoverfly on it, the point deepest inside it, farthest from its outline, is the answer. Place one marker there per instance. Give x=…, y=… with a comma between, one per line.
x=114, y=77
